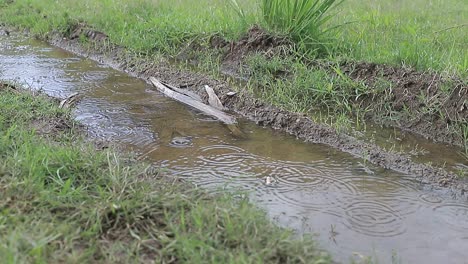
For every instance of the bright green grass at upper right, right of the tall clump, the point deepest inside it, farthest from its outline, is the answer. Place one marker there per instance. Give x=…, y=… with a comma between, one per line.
x=426, y=35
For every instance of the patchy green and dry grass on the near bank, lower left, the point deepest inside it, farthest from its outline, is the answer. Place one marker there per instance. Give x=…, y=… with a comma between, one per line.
x=61, y=201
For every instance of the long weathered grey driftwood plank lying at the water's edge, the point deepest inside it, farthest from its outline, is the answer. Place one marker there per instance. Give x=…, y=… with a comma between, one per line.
x=228, y=119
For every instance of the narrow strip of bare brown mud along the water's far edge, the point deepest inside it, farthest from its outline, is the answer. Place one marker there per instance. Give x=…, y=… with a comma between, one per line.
x=264, y=114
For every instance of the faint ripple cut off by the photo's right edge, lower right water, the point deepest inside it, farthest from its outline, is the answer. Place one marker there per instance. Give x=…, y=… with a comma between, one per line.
x=455, y=215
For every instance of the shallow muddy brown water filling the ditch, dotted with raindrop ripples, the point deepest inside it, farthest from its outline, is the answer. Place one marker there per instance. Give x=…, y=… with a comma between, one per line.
x=353, y=208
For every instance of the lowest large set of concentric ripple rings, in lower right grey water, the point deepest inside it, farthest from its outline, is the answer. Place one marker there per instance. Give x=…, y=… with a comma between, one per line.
x=373, y=219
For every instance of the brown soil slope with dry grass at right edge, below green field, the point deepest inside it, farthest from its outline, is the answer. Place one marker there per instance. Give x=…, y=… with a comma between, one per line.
x=426, y=103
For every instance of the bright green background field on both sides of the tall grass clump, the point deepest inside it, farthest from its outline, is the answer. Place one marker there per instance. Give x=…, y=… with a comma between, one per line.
x=425, y=35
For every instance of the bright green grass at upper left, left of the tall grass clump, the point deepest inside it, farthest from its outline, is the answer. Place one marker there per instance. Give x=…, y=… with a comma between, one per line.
x=141, y=25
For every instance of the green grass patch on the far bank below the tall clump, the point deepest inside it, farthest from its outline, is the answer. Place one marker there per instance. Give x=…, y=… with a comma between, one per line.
x=306, y=87
